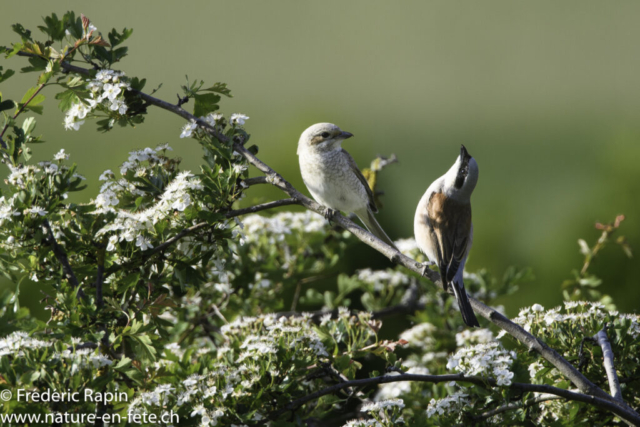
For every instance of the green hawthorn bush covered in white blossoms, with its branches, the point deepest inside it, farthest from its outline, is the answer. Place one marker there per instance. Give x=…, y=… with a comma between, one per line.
x=169, y=297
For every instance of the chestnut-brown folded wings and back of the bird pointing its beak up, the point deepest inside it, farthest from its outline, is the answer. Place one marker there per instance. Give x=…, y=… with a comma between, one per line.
x=450, y=224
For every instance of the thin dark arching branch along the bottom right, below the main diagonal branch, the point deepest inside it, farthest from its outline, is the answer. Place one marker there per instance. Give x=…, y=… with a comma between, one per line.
x=606, y=404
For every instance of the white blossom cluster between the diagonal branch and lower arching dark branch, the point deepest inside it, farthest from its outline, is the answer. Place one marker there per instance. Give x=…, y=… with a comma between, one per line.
x=488, y=360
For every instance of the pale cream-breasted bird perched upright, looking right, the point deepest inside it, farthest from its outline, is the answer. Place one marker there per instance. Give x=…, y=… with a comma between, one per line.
x=333, y=178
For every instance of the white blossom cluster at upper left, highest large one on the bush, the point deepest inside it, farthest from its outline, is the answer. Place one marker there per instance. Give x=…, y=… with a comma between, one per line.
x=105, y=90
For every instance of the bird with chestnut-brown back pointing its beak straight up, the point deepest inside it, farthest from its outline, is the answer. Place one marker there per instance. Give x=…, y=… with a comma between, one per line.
x=443, y=227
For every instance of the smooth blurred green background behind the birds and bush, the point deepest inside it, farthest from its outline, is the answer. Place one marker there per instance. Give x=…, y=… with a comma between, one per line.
x=545, y=96
